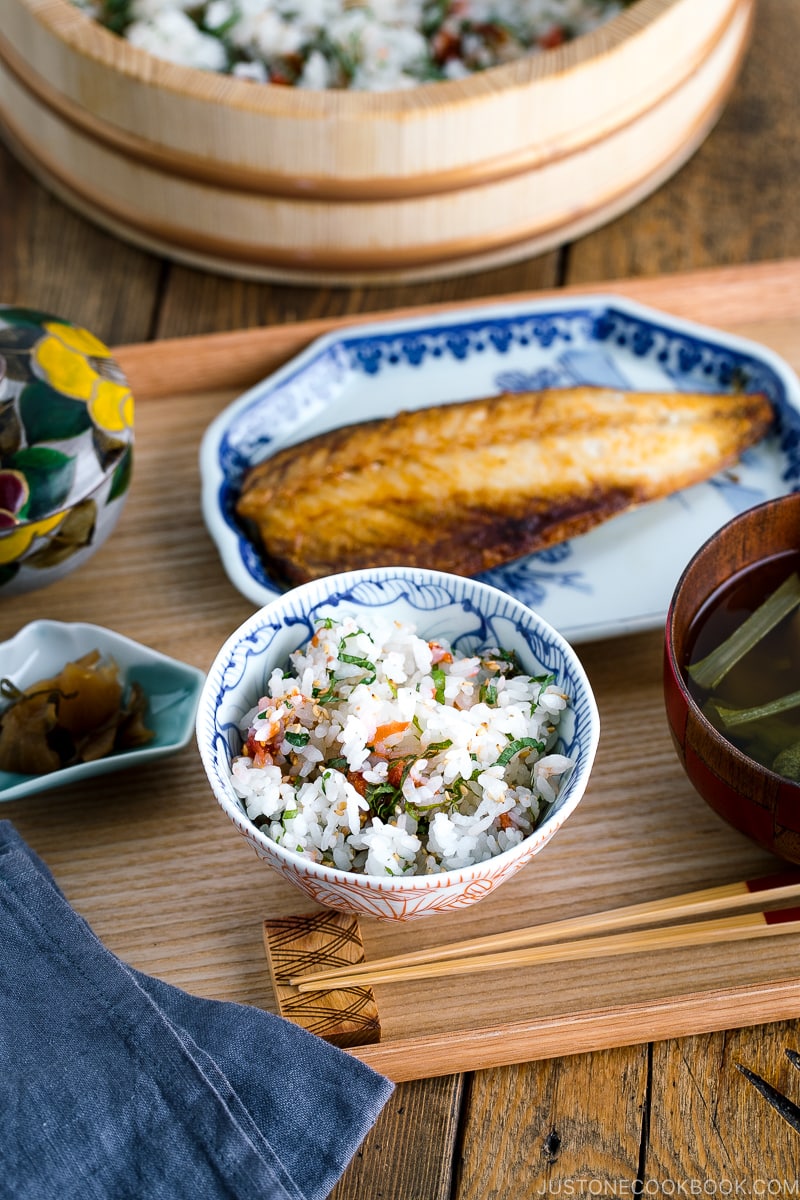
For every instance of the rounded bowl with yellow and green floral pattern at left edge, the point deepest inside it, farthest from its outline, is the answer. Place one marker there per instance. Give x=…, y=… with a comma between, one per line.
x=67, y=443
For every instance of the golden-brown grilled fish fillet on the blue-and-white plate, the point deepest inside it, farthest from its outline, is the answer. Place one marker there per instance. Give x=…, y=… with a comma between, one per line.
x=467, y=487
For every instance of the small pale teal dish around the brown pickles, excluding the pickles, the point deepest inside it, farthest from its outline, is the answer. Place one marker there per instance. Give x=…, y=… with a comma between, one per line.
x=41, y=650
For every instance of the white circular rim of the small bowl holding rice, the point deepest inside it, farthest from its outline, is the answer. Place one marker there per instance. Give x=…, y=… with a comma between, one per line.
x=220, y=777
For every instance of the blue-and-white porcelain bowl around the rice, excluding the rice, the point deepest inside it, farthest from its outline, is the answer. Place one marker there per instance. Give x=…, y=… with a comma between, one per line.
x=466, y=615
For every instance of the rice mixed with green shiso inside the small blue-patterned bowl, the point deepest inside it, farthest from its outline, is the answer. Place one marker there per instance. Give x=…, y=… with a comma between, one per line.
x=383, y=753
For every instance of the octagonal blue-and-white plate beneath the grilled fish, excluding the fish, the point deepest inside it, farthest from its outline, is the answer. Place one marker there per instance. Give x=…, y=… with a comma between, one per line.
x=618, y=578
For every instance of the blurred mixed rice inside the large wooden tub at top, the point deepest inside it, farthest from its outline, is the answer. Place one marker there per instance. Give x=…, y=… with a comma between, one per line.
x=348, y=44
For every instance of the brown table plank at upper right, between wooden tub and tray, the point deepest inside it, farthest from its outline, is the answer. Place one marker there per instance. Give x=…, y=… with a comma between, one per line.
x=735, y=201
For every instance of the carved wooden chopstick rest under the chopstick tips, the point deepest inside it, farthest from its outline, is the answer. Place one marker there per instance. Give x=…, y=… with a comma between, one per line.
x=346, y=1017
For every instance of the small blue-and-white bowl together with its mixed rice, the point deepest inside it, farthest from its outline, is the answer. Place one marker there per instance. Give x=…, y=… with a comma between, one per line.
x=396, y=742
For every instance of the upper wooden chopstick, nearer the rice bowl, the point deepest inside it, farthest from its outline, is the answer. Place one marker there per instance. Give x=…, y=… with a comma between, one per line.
x=767, y=890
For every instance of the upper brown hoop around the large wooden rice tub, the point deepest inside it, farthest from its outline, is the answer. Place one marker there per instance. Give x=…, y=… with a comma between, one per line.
x=238, y=178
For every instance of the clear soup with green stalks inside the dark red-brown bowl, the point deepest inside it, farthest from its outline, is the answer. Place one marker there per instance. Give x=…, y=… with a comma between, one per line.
x=756, y=703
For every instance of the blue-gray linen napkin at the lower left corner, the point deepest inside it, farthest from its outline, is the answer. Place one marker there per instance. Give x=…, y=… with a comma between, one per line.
x=121, y=1087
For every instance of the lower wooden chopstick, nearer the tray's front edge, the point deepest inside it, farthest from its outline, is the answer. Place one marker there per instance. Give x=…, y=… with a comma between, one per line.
x=702, y=933
